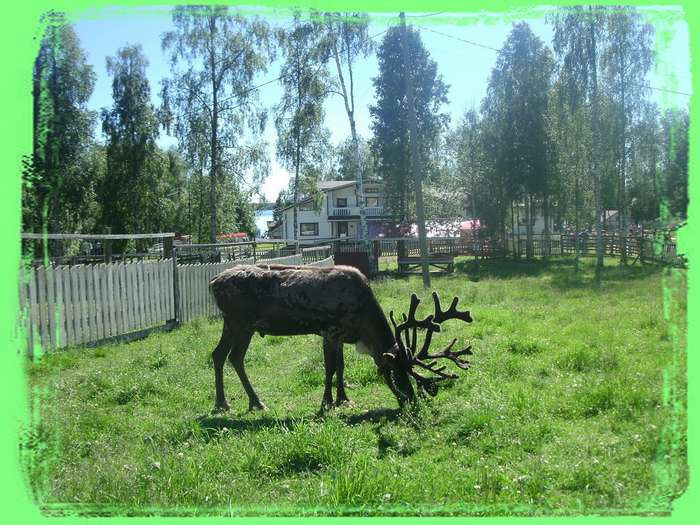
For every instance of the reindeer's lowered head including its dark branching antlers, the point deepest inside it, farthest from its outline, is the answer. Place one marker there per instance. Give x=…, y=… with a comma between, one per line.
x=404, y=359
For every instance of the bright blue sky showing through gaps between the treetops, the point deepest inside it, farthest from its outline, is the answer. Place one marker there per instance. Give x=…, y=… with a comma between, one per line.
x=464, y=67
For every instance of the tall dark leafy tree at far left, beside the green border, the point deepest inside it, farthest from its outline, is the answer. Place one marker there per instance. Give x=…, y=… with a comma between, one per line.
x=58, y=192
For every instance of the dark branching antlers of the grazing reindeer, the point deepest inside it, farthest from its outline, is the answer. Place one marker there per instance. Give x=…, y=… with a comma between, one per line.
x=431, y=324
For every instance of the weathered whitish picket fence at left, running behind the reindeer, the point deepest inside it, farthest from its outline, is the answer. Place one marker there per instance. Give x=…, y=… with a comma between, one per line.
x=72, y=305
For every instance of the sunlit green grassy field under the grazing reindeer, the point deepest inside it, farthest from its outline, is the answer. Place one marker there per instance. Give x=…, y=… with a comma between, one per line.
x=575, y=404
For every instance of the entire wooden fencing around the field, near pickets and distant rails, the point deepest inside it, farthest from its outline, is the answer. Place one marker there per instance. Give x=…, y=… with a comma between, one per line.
x=86, y=303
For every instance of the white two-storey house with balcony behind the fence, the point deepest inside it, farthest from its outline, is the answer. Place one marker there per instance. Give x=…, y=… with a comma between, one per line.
x=338, y=215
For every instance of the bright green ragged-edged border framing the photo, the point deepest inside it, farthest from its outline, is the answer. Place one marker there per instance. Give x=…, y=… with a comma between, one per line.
x=19, y=41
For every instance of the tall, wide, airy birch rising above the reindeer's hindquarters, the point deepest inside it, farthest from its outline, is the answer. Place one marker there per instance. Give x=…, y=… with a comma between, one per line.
x=210, y=107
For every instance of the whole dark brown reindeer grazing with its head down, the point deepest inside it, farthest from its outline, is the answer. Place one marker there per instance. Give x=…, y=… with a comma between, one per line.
x=336, y=303
